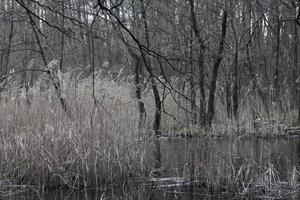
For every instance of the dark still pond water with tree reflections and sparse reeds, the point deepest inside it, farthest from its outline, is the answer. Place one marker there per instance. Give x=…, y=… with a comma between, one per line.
x=231, y=168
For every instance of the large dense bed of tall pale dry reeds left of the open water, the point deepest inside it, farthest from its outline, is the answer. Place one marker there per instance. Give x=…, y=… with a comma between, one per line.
x=41, y=146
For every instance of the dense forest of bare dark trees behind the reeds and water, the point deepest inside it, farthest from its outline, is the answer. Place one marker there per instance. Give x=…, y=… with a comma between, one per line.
x=216, y=61
